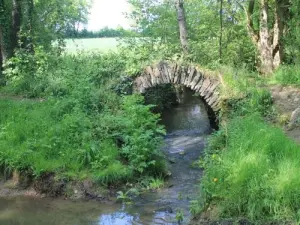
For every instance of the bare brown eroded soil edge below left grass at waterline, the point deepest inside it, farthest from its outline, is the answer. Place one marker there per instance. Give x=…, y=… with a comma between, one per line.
x=49, y=186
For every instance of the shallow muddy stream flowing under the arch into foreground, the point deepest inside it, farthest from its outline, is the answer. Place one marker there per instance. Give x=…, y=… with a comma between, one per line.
x=187, y=126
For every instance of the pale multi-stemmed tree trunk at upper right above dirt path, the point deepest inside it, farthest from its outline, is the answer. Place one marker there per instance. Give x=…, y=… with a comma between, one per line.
x=268, y=37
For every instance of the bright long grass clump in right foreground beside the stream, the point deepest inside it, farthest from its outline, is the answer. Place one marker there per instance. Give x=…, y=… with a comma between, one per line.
x=252, y=171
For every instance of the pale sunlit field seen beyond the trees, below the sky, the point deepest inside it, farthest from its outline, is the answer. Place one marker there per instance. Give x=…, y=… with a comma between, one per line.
x=92, y=44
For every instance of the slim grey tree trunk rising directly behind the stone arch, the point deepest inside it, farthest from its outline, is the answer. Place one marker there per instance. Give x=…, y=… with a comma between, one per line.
x=182, y=26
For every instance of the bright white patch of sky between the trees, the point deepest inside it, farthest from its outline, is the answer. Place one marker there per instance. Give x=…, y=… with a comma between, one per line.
x=108, y=13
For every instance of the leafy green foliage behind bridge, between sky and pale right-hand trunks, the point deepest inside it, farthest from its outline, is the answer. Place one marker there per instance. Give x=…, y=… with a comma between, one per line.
x=157, y=22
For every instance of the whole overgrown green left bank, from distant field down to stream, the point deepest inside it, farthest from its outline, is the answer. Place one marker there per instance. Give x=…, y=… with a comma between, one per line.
x=78, y=123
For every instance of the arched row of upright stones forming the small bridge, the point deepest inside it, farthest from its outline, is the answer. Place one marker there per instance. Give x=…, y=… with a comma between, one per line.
x=201, y=81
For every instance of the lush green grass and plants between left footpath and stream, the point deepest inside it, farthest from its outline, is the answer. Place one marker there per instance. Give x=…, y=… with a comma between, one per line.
x=57, y=136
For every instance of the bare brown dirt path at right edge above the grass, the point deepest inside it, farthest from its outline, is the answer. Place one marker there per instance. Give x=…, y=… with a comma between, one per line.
x=286, y=100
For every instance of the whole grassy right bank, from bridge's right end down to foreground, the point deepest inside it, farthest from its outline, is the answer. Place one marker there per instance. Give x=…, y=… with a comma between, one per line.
x=251, y=167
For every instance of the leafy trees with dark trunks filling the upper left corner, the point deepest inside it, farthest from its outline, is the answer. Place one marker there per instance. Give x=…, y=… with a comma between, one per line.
x=27, y=23
